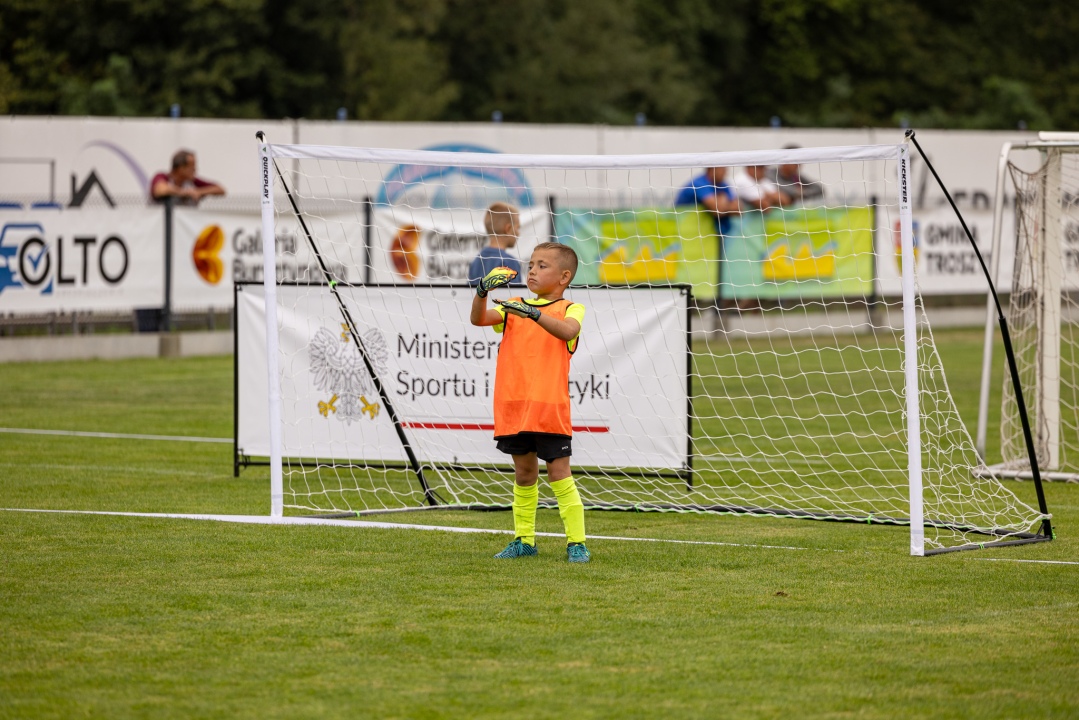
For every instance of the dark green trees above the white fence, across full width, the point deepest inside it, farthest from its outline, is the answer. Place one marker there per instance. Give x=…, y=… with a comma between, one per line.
x=832, y=63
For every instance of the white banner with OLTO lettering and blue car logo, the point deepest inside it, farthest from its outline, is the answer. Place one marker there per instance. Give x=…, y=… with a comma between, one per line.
x=80, y=261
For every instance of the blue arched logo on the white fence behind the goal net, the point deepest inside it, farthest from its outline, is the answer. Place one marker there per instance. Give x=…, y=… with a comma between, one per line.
x=442, y=187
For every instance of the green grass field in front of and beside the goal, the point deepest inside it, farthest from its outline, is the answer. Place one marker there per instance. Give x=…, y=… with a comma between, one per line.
x=125, y=617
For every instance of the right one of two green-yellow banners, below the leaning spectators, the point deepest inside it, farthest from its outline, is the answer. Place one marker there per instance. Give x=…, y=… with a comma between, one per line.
x=799, y=253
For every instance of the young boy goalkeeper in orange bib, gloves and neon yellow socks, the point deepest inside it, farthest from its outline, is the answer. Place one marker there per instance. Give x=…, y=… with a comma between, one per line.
x=531, y=391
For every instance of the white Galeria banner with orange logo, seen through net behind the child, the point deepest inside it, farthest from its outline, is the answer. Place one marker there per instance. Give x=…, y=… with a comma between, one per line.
x=428, y=246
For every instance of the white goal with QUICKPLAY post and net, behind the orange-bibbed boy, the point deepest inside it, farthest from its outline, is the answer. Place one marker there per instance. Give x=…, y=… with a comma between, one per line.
x=761, y=375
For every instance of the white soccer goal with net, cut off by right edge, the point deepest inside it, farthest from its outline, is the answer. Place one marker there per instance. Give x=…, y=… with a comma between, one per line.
x=1043, y=309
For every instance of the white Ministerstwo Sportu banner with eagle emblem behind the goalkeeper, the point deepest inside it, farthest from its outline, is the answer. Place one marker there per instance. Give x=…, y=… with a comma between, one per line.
x=629, y=378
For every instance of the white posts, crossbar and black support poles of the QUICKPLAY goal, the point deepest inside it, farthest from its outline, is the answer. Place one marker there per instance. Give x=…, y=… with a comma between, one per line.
x=913, y=318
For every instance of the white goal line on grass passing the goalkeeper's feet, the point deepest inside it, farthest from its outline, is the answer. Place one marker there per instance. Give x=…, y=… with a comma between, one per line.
x=266, y=520
